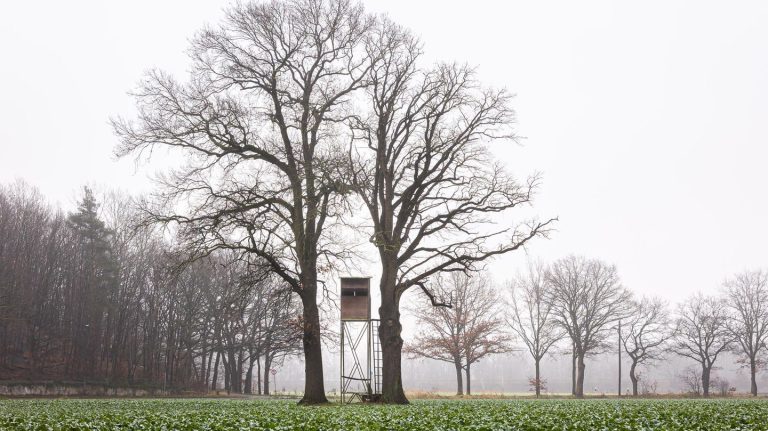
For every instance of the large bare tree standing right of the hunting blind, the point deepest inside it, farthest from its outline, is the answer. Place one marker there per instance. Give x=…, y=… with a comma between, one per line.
x=420, y=164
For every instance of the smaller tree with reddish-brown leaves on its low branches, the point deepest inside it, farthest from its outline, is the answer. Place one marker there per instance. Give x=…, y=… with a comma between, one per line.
x=465, y=333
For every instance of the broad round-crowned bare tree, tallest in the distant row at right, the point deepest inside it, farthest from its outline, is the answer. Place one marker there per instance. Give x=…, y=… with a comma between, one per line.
x=587, y=300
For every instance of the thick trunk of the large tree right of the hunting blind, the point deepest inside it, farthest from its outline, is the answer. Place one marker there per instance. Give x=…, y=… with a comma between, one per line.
x=389, y=335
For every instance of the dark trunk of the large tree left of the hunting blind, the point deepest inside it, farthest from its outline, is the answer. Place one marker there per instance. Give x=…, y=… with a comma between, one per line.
x=314, y=386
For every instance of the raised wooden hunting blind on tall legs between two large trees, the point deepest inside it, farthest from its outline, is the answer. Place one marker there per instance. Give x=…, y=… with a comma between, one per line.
x=360, y=346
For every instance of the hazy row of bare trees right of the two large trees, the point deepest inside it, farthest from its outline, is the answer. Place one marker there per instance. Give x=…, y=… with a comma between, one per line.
x=580, y=305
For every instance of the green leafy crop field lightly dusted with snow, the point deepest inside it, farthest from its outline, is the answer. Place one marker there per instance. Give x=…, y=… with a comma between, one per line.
x=438, y=415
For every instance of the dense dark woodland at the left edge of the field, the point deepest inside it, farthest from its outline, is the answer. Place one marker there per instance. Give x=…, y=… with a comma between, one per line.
x=90, y=297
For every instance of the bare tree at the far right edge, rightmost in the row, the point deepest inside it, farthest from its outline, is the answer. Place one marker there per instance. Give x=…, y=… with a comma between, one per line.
x=747, y=296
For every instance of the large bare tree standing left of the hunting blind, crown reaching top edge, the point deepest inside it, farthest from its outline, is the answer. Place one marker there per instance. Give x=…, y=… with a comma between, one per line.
x=259, y=120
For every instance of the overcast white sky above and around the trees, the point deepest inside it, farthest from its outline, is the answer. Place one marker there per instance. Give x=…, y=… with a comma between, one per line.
x=647, y=119
